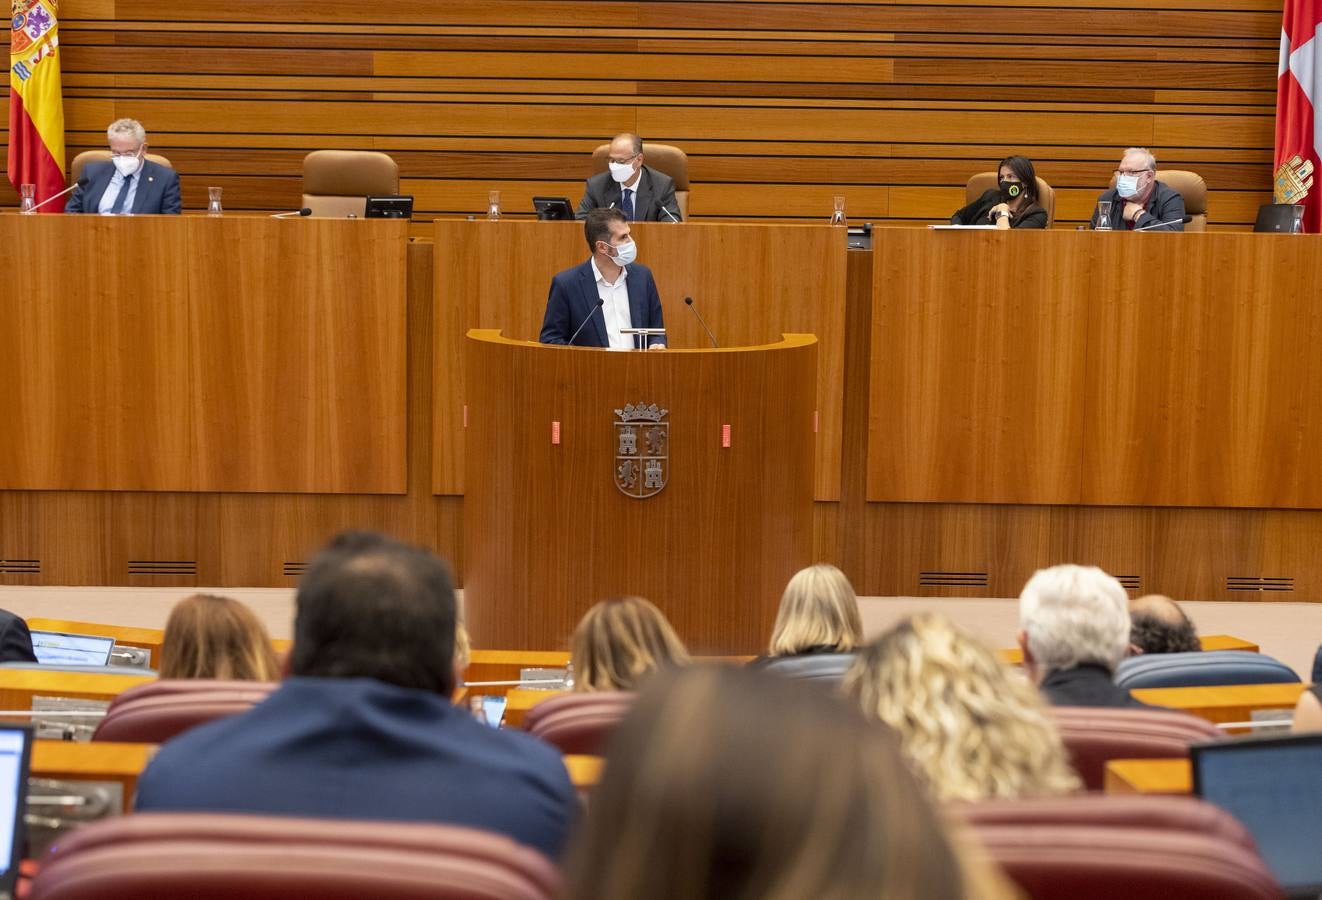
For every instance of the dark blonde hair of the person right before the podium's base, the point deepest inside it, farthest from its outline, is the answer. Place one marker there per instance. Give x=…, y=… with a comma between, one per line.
x=622, y=642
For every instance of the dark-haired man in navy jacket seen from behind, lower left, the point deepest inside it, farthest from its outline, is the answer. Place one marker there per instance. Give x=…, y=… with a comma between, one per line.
x=364, y=726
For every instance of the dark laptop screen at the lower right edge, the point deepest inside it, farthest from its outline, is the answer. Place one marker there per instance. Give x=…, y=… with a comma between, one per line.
x=1274, y=786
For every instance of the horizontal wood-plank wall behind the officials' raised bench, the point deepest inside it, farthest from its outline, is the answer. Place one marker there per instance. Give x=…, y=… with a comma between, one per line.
x=473, y=96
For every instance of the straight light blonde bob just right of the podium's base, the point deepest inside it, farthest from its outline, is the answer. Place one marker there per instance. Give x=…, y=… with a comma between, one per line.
x=819, y=609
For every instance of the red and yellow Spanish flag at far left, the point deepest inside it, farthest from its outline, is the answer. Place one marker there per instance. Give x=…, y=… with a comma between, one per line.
x=36, y=101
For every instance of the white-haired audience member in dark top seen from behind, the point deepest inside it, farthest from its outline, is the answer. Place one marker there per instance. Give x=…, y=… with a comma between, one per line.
x=1074, y=630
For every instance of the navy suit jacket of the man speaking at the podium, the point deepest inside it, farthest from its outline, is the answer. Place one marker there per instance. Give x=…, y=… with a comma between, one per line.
x=574, y=298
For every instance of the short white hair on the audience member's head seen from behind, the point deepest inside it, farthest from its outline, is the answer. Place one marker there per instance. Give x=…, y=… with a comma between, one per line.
x=1074, y=615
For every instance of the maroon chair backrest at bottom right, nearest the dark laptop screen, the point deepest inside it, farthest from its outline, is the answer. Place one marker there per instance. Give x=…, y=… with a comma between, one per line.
x=1098, y=862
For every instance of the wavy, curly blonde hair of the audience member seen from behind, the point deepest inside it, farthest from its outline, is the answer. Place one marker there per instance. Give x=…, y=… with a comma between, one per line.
x=974, y=728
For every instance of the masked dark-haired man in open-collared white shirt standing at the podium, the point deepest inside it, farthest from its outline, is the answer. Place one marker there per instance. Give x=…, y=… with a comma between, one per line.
x=590, y=305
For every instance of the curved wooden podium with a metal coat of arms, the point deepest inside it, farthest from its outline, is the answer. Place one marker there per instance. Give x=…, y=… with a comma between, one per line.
x=564, y=508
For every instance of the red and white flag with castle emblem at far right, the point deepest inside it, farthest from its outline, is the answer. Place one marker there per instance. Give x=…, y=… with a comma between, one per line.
x=1299, y=142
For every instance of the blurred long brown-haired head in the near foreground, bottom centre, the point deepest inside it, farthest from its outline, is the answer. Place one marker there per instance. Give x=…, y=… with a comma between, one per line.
x=725, y=783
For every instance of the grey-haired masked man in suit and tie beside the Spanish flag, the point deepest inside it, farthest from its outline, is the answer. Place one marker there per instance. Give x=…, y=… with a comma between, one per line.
x=129, y=182
